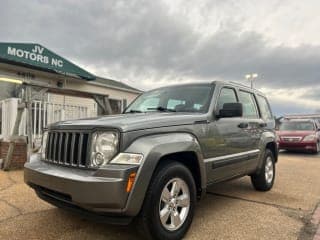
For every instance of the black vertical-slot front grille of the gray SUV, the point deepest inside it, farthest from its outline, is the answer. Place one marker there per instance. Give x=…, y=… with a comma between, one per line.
x=68, y=148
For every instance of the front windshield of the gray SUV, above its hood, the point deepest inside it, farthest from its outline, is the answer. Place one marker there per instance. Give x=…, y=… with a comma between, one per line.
x=190, y=98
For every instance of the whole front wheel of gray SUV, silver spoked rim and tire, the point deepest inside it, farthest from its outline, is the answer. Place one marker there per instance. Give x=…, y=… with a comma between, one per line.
x=169, y=204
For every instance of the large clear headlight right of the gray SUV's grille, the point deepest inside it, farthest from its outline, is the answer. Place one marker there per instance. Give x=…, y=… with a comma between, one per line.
x=104, y=147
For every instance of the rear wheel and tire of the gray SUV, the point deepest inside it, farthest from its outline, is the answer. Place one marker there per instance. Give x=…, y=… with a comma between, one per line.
x=262, y=181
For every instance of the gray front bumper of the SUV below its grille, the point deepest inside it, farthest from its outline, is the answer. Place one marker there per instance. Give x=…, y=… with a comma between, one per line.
x=100, y=191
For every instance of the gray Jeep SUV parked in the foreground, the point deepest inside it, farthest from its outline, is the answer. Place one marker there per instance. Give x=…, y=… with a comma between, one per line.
x=153, y=162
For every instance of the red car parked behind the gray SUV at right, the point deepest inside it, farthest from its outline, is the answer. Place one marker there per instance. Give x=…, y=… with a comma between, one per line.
x=299, y=134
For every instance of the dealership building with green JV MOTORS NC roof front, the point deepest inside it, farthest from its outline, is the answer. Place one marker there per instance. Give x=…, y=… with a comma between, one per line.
x=58, y=90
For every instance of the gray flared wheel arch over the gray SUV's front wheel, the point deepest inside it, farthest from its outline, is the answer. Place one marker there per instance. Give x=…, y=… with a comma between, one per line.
x=157, y=149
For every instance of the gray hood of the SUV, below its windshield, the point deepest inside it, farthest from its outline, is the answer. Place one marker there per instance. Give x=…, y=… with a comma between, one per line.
x=132, y=121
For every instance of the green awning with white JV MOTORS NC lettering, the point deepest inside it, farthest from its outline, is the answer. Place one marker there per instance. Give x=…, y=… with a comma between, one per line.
x=35, y=55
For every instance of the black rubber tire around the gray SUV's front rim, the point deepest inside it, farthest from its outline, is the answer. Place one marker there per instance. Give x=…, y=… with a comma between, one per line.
x=149, y=223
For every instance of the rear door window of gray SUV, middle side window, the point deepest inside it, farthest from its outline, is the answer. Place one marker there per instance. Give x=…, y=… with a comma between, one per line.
x=249, y=105
